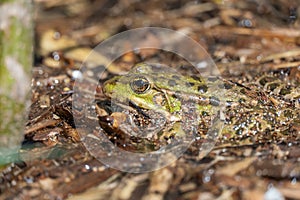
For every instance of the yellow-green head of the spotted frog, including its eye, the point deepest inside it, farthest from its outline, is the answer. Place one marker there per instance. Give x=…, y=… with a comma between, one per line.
x=139, y=88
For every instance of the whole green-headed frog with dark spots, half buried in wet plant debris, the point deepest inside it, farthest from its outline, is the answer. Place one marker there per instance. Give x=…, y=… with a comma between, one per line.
x=184, y=101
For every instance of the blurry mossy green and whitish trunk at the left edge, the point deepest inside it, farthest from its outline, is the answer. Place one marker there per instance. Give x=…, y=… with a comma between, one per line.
x=16, y=44
